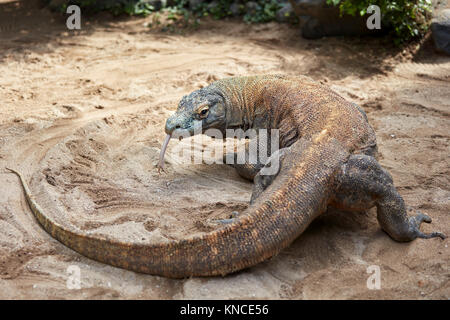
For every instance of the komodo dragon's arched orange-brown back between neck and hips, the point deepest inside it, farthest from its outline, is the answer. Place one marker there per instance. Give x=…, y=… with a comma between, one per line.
x=300, y=107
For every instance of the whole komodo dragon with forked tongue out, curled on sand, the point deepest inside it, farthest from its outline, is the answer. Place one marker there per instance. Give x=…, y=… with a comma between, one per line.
x=327, y=159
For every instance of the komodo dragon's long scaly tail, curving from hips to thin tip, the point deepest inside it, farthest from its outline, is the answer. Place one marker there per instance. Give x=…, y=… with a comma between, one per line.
x=299, y=193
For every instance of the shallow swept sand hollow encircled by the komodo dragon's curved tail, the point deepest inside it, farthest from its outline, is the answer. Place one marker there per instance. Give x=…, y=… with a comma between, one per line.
x=102, y=180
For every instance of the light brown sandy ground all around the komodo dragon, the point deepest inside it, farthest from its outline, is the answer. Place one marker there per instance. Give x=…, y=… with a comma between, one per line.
x=82, y=116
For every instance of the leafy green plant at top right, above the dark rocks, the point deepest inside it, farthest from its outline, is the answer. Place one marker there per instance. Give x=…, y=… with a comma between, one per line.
x=408, y=19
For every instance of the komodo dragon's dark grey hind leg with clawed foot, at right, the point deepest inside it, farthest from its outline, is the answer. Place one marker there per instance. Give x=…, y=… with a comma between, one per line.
x=363, y=183
